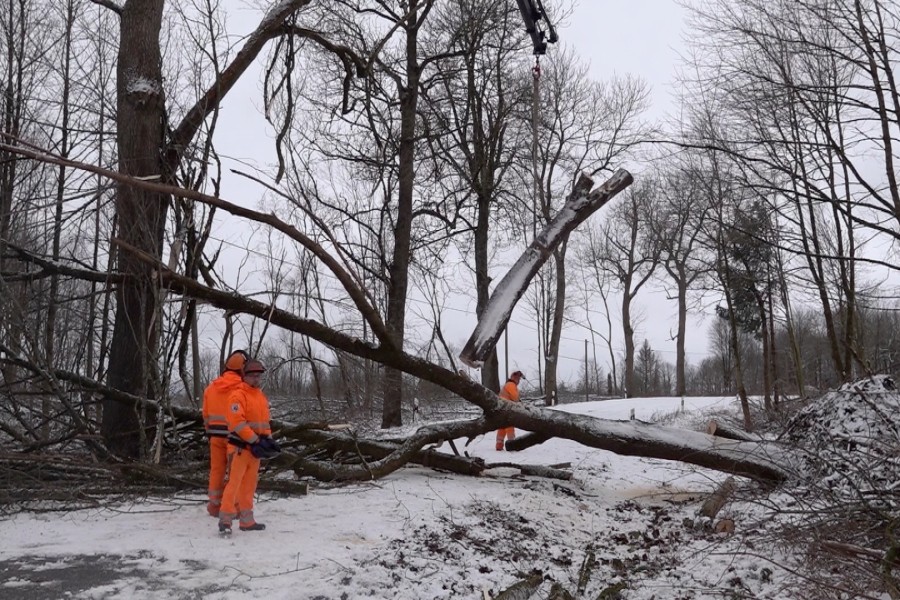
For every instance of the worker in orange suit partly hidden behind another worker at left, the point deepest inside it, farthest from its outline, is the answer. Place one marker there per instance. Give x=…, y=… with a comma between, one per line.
x=215, y=407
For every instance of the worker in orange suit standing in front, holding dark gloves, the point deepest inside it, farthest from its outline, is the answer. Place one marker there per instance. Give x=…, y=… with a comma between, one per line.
x=249, y=440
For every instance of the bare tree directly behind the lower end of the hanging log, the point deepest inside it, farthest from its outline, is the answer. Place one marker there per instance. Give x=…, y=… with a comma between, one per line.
x=469, y=117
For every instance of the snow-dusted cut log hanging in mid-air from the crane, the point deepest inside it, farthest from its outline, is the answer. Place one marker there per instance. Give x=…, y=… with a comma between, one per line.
x=580, y=204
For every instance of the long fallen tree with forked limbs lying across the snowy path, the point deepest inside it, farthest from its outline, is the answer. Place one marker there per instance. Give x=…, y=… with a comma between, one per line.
x=762, y=461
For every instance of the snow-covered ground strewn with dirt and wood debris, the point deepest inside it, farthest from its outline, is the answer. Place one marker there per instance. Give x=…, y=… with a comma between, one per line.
x=420, y=534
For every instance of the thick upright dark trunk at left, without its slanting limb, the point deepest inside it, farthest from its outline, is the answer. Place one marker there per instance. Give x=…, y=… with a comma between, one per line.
x=141, y=221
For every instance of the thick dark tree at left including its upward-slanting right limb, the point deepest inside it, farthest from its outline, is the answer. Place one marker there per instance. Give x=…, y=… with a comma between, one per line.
x=147, y=149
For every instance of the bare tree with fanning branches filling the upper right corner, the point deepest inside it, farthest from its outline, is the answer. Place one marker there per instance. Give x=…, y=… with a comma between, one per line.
x=809, y=95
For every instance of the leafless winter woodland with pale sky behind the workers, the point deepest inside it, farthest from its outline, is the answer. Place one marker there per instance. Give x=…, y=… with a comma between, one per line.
x=412, y=158
